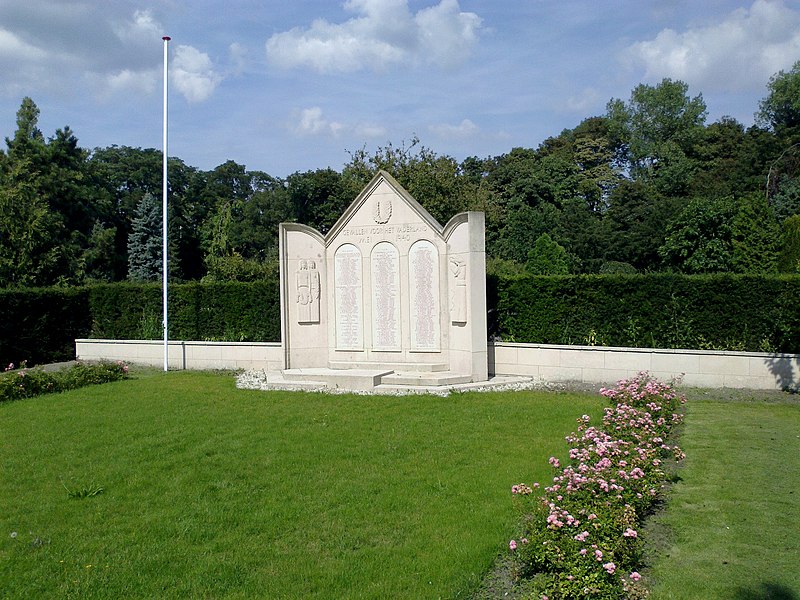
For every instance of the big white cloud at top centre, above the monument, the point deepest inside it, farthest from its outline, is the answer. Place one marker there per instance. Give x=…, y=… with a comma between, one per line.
x=385, y=34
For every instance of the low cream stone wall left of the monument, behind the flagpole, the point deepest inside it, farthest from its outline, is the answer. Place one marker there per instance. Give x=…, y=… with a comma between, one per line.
x=185, y=354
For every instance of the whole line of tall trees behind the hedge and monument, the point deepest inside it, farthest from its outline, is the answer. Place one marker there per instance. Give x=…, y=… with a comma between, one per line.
x=649, y=186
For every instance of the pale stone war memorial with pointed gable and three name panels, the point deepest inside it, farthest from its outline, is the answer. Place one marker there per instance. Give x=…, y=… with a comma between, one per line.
x=388, y=294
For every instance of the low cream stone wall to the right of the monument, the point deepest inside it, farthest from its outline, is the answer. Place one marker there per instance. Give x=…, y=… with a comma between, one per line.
x=699, y=368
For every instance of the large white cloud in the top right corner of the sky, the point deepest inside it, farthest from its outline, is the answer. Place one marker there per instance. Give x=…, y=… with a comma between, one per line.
x=739, y=53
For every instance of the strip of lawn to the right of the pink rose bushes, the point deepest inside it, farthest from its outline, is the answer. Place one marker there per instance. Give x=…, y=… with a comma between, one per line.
x=735, y=515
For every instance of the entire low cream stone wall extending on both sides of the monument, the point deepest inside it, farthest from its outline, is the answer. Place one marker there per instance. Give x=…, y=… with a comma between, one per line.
x=585, y=364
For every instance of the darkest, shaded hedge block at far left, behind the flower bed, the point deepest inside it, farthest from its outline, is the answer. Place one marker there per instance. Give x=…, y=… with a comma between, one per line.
x=40, y=325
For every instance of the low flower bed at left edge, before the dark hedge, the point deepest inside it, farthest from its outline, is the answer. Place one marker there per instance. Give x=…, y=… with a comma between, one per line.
x=26, y=383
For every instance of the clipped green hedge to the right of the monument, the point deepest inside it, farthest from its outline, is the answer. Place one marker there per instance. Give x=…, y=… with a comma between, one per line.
x=719, y=312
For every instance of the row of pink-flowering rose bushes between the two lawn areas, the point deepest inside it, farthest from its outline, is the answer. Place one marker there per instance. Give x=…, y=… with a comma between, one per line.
x=584, y=528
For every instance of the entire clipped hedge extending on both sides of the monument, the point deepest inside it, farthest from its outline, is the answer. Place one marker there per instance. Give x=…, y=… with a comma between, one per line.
x=722, y=312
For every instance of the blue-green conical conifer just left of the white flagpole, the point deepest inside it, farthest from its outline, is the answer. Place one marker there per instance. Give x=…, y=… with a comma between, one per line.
x=145, y=241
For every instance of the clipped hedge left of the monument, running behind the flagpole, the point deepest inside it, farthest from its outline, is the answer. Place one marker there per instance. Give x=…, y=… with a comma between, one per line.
x=41, y=325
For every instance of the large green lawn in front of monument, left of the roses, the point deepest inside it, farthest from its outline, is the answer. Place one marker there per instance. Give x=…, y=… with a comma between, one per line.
x=209, y=491
